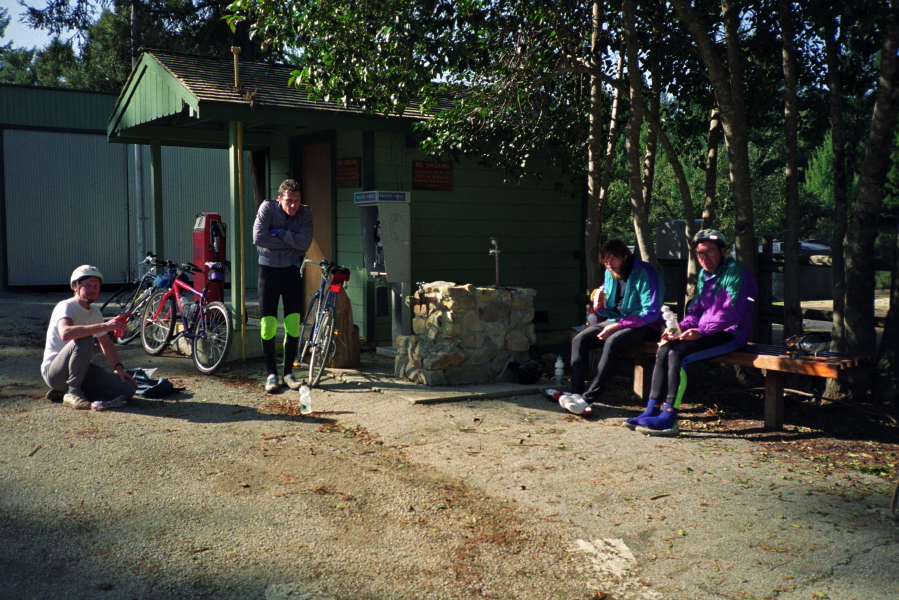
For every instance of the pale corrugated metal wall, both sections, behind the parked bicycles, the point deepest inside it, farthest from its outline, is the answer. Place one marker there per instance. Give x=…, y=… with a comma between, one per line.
x=70, y=200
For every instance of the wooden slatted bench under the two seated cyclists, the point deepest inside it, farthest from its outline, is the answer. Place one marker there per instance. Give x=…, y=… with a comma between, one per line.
x=774, y=361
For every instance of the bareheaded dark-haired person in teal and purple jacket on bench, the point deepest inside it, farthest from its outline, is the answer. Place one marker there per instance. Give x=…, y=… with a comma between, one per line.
x=628, y=313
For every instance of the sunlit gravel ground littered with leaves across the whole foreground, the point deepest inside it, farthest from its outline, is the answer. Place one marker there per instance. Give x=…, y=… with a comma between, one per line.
x=223, y=491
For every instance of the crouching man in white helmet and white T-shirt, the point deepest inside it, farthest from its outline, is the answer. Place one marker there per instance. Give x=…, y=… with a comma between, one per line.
x=67, y=366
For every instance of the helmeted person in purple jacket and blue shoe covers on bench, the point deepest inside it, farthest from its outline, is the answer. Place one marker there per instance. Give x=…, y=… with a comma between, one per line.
x=718, y=321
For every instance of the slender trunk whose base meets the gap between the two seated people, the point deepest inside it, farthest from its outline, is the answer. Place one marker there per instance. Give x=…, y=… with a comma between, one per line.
x=632, y=135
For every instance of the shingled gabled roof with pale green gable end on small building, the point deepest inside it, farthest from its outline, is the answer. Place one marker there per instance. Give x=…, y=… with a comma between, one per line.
x=184, y=99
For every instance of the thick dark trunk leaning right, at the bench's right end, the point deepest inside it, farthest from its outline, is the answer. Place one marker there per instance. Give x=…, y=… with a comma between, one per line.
x=859, y=318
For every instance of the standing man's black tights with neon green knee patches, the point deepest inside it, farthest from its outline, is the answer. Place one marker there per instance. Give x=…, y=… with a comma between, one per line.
x=280, y=283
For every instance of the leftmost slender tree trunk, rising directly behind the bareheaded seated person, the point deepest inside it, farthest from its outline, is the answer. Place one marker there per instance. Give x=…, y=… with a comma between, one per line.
x=595, y=199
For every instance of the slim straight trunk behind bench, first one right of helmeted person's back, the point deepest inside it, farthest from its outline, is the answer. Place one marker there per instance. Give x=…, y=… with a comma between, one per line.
x=792, y=308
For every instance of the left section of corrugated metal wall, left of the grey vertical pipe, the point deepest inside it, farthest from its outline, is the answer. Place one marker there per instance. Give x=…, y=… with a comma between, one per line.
x=65, y=200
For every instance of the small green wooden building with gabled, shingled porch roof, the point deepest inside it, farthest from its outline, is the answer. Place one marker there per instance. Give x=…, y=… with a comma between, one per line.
x=273, y=131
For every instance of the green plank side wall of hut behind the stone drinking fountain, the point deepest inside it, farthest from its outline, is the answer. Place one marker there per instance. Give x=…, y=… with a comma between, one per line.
x=538, y=230
